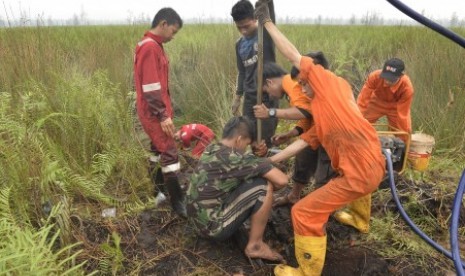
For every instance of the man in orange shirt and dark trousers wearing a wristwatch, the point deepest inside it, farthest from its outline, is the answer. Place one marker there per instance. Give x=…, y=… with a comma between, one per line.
x=308, y=162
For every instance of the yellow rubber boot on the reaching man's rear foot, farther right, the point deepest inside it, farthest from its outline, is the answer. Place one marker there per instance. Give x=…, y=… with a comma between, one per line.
x=357, y=214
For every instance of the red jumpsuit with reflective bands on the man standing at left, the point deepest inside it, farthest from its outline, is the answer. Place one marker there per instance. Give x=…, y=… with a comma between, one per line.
x=153, y=101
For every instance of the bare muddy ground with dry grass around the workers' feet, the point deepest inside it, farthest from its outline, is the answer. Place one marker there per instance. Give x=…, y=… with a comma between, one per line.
x=157, y=242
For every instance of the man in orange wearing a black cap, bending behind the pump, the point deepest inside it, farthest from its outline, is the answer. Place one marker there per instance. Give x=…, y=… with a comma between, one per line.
x=388, y=92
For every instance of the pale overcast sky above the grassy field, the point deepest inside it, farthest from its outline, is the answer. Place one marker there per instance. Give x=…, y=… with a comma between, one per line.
x=121, y=10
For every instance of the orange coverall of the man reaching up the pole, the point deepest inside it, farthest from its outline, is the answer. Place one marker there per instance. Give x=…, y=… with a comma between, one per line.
x=350, y=141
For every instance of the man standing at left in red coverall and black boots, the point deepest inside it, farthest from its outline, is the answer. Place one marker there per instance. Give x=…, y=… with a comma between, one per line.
x=153, y=100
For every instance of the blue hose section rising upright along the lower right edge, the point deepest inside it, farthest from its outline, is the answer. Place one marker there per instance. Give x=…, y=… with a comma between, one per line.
x=454, y=226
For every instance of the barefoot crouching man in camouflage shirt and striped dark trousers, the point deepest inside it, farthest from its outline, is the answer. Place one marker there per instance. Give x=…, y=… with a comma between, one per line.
x=230, y=186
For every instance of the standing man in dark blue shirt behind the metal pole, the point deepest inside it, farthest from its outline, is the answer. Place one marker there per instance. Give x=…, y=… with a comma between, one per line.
x=247, y=65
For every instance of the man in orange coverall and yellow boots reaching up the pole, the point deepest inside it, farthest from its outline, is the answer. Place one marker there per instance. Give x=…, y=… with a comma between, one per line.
x=350, y=141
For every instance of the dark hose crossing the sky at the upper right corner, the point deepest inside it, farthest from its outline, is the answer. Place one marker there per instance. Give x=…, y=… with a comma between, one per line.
x=428, y=22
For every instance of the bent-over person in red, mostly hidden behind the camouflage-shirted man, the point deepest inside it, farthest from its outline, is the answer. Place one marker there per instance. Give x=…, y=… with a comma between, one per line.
x=199, y=134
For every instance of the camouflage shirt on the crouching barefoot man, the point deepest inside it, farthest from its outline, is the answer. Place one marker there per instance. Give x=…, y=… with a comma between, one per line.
x=220, y=171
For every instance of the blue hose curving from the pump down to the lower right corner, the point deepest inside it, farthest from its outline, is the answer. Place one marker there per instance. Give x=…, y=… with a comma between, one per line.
x=406, y=217
